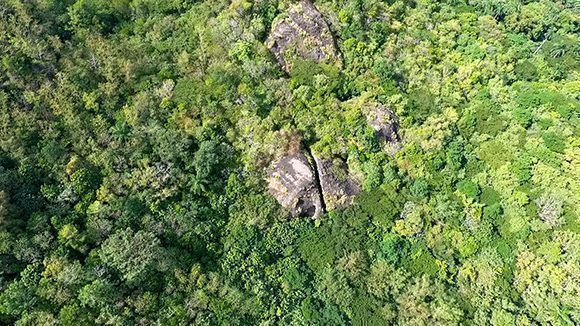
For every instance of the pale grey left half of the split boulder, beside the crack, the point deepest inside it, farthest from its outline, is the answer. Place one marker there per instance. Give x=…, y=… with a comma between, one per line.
x=293, y=183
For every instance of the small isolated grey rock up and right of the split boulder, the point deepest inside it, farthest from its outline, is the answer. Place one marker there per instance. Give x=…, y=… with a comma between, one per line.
x=386, y=125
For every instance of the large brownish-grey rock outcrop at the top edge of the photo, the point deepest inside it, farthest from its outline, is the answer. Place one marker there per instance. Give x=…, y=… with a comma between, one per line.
x=302, y=34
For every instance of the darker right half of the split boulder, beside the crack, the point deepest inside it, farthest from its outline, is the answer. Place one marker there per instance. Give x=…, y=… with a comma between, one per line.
x=337, y=185
